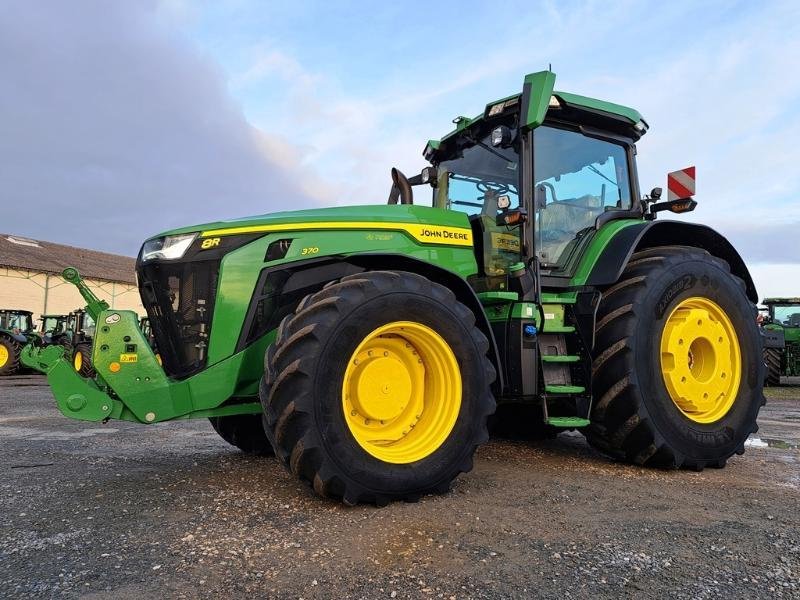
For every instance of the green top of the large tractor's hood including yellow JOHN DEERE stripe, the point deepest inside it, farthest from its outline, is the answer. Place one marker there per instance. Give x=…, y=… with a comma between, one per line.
x=382, y=216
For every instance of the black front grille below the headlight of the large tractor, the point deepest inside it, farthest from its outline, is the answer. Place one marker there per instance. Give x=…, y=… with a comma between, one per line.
x=179, y=300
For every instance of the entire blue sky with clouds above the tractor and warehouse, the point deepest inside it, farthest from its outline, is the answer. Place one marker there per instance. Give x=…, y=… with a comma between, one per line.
x=118, y=120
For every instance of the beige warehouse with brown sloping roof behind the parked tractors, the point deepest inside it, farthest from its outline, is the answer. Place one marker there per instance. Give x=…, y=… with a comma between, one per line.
x=30, y=277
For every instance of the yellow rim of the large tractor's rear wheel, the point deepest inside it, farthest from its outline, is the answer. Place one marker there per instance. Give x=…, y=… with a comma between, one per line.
x=701, y=360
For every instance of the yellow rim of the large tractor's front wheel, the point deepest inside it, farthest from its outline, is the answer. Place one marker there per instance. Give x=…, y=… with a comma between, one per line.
x=401, y=393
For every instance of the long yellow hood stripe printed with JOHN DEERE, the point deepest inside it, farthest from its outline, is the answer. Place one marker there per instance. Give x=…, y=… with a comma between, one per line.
x=427, y=234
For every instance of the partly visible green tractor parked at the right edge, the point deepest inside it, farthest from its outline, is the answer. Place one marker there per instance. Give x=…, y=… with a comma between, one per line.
x=782, y=339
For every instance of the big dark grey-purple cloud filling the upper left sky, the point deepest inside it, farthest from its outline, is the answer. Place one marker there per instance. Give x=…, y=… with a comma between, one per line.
x=114, y=128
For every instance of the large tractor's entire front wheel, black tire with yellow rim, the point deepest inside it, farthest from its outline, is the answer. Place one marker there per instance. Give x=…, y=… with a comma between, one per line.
x=378, y=389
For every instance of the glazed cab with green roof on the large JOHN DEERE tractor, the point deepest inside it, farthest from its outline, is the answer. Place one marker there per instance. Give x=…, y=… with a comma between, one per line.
x=538, y=177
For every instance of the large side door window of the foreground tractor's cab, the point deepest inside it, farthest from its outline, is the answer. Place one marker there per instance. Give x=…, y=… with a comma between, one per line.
x=577, y=179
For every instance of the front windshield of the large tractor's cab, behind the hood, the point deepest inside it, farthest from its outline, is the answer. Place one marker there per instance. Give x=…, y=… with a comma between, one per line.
x=482, y=182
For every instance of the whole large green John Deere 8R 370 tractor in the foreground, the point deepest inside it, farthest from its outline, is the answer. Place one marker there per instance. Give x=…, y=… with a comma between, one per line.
x=367, y=346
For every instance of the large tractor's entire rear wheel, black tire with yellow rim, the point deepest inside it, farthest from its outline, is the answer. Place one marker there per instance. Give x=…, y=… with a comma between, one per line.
x=678, y=369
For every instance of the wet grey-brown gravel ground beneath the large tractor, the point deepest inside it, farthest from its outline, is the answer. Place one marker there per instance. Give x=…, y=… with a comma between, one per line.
x=127, y=511
